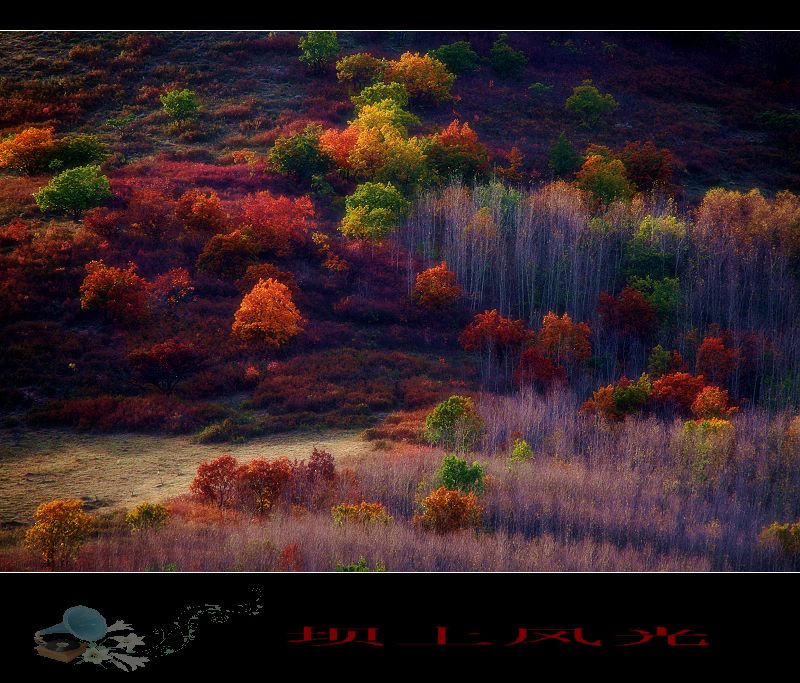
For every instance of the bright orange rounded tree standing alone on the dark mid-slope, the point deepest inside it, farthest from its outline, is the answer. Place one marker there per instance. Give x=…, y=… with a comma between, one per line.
x=268, y=315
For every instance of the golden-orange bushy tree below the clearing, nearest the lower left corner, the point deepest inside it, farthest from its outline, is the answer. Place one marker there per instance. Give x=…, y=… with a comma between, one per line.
x=59, y=531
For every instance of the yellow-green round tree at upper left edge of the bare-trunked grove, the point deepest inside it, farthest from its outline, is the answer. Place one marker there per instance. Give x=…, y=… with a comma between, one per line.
x=373, y=210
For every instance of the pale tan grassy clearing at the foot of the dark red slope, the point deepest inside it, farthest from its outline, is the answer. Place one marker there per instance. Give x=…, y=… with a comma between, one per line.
x=114, y=470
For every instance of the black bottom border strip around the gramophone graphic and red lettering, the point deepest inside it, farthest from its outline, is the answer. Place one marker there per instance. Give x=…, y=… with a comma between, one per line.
x=744, y=616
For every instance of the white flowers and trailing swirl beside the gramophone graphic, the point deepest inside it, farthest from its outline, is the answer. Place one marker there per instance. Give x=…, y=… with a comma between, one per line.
x=128, y=651
